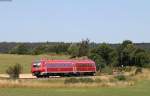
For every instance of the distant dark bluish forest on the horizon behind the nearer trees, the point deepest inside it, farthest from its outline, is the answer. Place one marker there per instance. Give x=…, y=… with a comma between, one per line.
x=5, y=47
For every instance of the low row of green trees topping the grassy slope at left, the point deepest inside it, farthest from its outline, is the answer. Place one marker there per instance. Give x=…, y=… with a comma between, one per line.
x=60, y=48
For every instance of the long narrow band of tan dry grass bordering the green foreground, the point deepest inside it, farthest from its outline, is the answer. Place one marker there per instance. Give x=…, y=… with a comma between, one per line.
x=30, y=84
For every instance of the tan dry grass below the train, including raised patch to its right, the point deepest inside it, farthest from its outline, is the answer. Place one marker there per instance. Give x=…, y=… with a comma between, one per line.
x=105, y=81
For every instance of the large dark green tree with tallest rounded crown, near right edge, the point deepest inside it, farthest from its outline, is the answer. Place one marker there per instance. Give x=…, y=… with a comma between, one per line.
x=130, y=55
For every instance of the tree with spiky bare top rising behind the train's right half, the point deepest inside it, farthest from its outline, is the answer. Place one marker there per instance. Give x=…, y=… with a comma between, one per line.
x=84, y=48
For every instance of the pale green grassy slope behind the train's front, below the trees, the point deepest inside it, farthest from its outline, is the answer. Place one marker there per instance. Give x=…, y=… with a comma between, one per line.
x=26, y=60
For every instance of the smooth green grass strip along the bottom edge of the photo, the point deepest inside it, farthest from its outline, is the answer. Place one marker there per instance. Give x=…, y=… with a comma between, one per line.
x=140, y=89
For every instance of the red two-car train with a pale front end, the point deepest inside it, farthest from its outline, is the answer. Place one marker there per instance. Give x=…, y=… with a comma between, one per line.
x=46, y=68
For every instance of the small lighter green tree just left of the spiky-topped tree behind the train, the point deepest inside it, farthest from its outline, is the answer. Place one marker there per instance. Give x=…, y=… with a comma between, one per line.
x=73, y=50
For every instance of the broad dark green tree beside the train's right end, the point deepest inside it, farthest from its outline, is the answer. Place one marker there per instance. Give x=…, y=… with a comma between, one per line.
x=104, y=56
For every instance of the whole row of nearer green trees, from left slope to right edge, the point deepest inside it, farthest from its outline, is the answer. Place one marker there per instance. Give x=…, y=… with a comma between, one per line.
x=105, y=55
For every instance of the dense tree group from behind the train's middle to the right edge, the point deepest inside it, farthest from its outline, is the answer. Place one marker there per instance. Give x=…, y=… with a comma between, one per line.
x=106, y=56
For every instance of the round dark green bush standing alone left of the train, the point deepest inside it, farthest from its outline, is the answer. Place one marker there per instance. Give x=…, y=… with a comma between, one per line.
x=14, y=71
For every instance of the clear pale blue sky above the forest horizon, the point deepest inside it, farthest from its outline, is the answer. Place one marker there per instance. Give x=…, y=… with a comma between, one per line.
x=110, y=21
